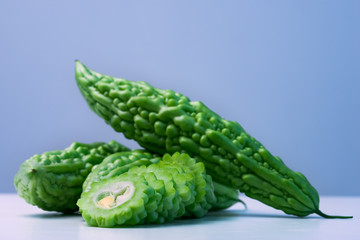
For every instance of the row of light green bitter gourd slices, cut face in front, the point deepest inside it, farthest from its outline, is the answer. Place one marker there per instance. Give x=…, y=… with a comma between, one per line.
x=174, y=187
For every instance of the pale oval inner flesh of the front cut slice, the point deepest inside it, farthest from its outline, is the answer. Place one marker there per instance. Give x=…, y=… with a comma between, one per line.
x=114, y=195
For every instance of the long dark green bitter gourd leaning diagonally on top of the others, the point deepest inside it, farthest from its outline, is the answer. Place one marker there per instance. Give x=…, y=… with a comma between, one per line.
x=166, y=121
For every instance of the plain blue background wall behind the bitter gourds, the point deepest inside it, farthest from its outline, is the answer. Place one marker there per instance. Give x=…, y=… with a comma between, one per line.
x=287, y=71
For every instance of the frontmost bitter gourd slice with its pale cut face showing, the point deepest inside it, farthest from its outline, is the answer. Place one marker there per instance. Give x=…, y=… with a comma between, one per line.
x=120, y=200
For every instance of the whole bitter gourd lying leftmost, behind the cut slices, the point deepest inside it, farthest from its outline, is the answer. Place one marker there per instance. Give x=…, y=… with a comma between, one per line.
x=53, y=180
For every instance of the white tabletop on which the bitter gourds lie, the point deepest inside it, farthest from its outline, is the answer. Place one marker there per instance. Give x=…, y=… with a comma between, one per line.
x=19, y=220
